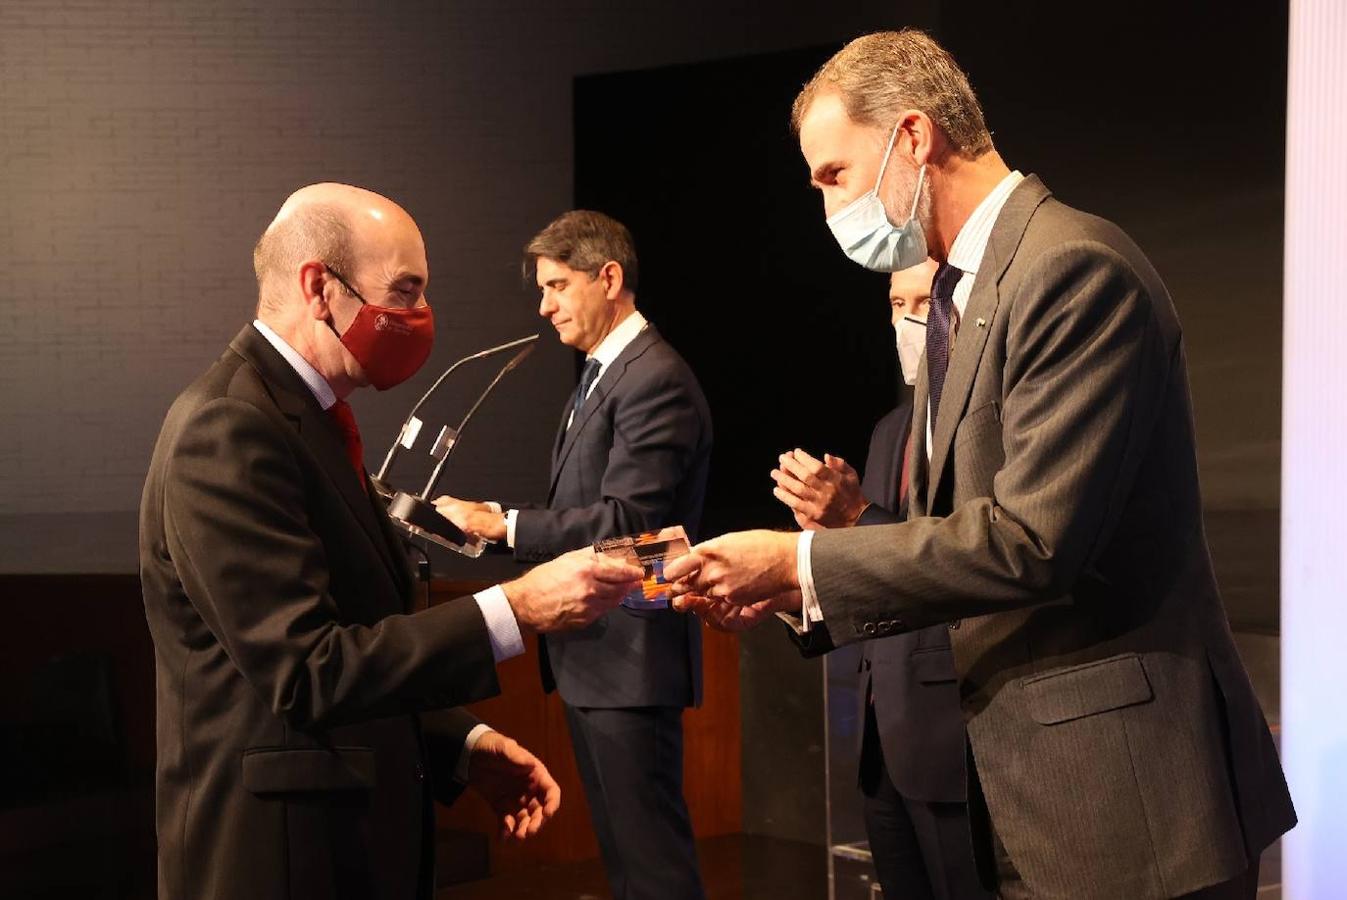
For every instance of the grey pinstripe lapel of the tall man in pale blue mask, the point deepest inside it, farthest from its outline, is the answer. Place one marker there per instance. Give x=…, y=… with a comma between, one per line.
x=976, y=324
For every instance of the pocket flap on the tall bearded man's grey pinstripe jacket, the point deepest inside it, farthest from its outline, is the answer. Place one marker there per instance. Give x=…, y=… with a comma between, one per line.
x=1085, y=690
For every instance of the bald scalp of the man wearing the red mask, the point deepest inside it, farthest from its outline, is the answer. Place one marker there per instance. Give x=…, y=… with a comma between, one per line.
x=327, y=223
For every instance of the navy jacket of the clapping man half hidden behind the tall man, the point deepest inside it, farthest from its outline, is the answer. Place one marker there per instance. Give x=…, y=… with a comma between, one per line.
x=913, y=678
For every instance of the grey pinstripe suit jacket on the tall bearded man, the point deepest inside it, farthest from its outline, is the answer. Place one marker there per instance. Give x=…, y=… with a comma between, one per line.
x=1117, y=738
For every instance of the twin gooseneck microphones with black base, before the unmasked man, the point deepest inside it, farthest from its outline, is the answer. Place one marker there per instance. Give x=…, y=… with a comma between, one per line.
x=413, y=513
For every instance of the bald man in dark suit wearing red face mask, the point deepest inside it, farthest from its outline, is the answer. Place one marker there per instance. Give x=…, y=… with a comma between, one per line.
x=304, y=712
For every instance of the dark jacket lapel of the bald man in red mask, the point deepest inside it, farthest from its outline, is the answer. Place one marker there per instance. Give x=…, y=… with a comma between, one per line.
x=320, y=433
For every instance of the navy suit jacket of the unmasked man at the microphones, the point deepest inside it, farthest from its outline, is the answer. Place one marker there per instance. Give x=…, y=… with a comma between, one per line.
x=635, y=460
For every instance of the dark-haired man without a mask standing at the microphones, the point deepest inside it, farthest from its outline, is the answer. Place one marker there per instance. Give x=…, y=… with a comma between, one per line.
x=632, y=455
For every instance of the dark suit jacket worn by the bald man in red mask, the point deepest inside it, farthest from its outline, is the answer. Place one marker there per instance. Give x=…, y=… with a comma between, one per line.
x=302, y=723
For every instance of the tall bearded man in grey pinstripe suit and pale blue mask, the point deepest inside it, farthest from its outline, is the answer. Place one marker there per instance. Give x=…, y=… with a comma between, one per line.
x=1055, y=523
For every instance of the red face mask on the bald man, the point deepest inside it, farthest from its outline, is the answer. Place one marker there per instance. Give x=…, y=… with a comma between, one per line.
x=391, y=344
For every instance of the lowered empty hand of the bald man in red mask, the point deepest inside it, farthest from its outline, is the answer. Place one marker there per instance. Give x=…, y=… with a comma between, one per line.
x=515, y=783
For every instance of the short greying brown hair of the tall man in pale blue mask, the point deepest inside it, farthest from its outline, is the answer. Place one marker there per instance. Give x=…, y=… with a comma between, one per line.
x=882, y=75
